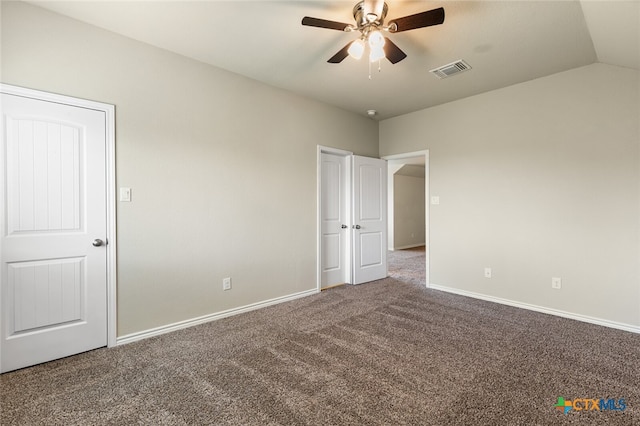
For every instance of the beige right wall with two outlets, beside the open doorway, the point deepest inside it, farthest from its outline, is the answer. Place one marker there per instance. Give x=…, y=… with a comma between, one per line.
x=537, y=180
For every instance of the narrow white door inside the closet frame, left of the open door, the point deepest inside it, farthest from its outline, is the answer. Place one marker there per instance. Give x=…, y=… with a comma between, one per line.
x=334, y=232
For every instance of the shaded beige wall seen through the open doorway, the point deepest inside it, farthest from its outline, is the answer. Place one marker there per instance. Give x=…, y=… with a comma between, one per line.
x=409, y=211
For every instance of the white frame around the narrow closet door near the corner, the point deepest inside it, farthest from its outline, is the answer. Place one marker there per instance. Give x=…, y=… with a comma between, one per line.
x=340, y=152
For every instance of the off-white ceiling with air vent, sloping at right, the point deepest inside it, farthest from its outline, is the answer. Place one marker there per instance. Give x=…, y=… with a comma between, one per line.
x=505, y=42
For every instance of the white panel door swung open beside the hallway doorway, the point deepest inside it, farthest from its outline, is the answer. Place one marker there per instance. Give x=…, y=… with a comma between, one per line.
x=369, y=219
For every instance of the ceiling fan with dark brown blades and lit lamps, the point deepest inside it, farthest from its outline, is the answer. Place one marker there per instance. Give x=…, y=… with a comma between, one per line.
x=369, y=16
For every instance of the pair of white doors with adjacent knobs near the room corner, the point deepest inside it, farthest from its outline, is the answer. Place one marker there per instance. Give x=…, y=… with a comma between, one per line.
x=353, y=219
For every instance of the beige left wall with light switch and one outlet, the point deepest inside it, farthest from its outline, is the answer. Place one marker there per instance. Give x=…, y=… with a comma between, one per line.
x=222, y=168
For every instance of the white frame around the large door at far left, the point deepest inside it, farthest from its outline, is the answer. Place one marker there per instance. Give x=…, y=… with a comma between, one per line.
x=109, y=111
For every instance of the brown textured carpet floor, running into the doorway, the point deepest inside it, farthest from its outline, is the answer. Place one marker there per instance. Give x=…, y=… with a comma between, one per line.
x=388, y=352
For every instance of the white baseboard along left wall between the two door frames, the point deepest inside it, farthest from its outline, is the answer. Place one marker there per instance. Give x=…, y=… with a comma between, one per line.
x=133, y=337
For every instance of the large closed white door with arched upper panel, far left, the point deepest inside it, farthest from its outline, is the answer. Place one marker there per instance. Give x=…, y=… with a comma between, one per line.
x=53, y=278
